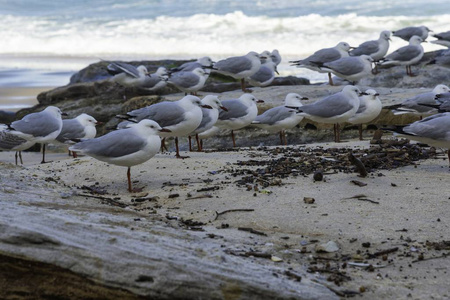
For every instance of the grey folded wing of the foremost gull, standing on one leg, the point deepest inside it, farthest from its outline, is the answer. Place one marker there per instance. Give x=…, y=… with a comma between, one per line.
x=114, y=144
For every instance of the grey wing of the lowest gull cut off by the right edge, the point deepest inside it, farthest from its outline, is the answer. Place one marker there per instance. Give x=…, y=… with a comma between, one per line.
x=433, y=127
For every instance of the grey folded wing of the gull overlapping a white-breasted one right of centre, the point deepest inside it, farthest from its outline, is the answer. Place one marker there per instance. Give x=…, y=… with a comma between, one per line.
x=331, y=106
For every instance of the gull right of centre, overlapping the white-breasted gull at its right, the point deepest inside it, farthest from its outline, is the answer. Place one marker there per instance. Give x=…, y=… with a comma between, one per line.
x=334, y=109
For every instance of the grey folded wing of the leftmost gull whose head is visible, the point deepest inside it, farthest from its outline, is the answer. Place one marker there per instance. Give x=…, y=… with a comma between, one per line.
x=37, y=124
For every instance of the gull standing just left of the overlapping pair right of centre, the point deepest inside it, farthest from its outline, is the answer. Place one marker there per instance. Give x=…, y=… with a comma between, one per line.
x=281, y=118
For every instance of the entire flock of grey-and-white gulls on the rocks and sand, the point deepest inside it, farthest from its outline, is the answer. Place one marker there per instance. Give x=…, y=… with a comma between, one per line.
x=143, y=131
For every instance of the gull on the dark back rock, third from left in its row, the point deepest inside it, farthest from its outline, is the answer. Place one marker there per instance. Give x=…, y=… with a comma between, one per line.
x=189, y=81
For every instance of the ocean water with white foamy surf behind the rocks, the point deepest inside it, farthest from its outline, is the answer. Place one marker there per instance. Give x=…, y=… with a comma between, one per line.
x=45, y=41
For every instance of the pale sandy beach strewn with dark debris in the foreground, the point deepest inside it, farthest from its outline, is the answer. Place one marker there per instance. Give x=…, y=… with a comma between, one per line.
x=404, y=210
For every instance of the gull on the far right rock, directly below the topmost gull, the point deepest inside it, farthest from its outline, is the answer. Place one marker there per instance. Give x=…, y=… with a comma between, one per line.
x=407, y=55
